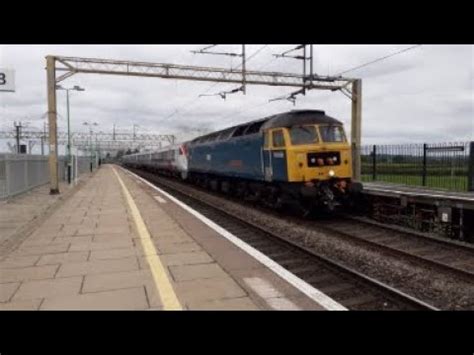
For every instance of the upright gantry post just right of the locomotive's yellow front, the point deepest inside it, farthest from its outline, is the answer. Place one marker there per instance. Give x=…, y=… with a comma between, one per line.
x=356, y=128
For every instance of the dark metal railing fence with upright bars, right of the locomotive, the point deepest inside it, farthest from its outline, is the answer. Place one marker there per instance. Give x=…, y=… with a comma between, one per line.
x=444, y=165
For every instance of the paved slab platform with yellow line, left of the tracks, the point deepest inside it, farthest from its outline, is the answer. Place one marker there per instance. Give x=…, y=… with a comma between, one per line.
x=117, y=243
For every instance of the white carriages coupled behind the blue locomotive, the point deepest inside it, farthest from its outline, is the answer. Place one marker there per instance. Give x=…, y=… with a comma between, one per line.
x=170, y=160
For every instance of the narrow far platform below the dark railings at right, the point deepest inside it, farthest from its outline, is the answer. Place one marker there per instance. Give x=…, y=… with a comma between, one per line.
x=463, y=200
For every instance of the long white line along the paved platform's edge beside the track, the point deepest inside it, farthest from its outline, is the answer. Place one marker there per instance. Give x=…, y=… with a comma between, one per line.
x=298, y=283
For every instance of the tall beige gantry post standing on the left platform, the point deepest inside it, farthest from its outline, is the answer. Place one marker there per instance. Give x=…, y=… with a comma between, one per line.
x=52, y=120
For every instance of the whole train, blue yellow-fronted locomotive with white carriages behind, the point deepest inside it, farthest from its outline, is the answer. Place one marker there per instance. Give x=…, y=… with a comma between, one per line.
x=301, y=158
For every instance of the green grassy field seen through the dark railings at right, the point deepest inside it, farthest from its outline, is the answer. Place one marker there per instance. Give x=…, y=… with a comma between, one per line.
x=447, y=182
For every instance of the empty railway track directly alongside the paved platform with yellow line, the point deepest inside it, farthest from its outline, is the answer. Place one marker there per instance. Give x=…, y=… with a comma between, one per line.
x=347, y=286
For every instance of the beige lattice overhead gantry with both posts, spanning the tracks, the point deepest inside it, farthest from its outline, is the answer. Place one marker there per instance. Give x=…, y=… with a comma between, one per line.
x=68, y=66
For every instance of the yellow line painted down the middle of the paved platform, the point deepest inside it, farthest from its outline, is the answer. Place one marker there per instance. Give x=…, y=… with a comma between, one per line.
x=163, y=285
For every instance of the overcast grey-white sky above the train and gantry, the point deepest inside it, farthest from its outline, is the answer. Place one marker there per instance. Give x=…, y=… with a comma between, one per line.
x=425, y=94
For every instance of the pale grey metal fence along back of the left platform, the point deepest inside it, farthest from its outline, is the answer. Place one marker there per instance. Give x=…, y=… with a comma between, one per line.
x=20, y=172
